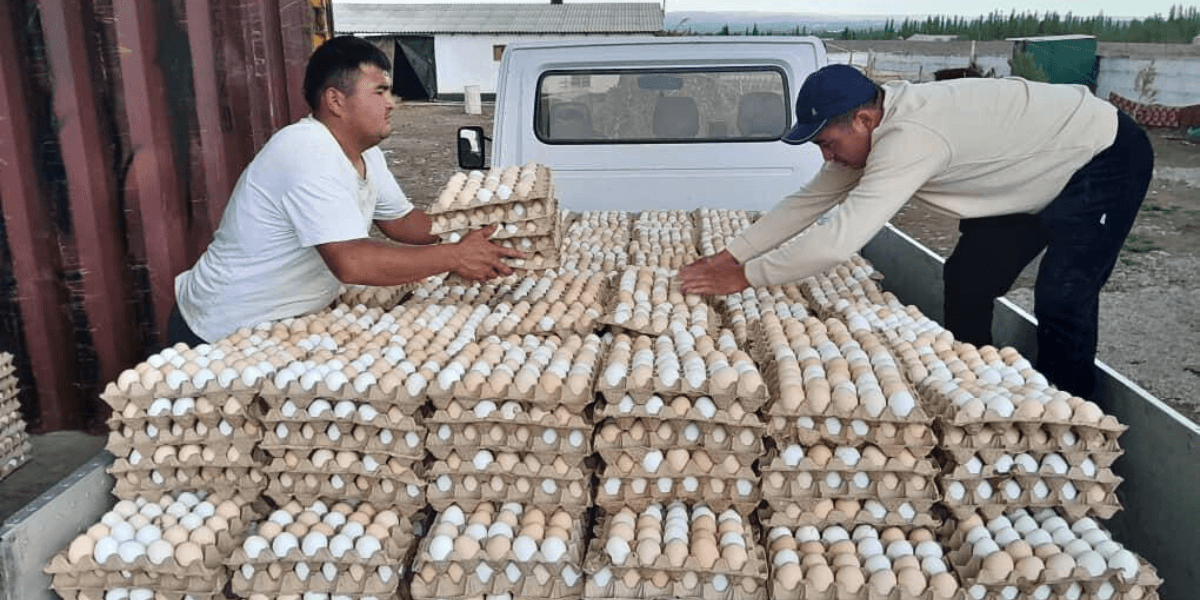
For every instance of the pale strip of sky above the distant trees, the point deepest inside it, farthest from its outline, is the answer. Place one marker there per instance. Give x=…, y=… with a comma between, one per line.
x=1138, y=9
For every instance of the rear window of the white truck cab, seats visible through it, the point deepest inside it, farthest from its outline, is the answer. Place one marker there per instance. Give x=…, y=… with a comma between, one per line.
x=662, y=106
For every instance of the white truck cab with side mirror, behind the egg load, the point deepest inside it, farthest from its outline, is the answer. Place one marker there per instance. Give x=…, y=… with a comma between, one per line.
x=655, y=123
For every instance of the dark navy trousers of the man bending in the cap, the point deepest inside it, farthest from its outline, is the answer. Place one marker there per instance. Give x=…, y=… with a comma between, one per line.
x=1083, y=231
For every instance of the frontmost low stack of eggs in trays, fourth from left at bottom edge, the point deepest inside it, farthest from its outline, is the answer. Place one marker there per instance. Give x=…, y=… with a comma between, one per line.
x=685, y=554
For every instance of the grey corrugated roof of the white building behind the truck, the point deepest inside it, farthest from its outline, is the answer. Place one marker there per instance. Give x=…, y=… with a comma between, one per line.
x=499, y=19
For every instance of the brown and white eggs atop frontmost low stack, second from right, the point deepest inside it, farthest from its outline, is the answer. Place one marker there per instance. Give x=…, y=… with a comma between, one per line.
x=808, y=562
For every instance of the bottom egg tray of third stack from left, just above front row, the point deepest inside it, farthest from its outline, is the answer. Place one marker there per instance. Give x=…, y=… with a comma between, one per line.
x=467, y=487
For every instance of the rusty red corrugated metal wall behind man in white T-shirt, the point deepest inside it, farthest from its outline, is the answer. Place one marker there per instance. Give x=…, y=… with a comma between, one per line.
x=124, y=125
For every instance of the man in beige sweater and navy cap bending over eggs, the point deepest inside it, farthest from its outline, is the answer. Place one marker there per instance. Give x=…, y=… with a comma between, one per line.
x=1025, y=166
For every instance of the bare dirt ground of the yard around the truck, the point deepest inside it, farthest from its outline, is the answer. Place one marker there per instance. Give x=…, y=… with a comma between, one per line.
x=1150, y=310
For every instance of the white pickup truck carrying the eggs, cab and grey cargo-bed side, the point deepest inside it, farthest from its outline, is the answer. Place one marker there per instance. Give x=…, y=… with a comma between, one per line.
x=682, y=123
